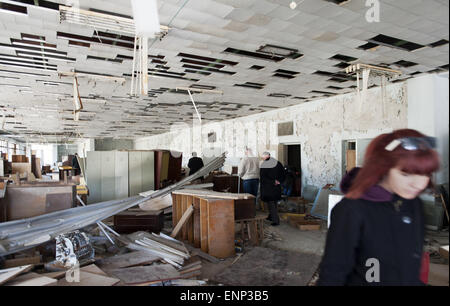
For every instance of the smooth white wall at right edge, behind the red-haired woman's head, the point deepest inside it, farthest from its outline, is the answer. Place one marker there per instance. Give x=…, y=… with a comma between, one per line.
x=428, y=112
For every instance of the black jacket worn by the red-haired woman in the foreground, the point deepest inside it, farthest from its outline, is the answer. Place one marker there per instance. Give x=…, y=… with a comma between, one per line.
x=391, y=231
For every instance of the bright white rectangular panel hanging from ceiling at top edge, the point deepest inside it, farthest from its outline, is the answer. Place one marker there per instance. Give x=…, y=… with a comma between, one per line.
x=146, y=19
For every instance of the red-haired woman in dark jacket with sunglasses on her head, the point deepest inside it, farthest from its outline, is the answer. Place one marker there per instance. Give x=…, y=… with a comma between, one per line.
x=377, y=231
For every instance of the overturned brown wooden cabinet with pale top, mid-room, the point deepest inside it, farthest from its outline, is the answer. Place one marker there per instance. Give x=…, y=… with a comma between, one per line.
x=206, y=219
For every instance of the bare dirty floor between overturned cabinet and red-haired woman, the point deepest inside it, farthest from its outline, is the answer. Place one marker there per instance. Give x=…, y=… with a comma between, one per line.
x=290, y=260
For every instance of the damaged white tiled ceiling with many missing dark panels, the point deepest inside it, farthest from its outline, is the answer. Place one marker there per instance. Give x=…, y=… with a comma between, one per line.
x=260, y=53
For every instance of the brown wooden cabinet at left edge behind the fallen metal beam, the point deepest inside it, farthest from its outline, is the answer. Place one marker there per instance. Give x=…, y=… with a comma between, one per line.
x=34, y=199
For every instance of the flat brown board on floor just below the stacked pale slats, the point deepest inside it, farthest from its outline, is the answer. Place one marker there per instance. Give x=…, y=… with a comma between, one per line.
x=143, y=274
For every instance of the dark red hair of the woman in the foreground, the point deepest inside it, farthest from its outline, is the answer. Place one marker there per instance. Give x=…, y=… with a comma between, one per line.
x=378, y=161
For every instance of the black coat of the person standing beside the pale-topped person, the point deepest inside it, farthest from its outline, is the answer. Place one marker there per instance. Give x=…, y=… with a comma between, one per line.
x=271, y=170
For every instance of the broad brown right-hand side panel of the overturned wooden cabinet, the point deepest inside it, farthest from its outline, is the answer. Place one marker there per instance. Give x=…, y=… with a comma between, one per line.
x=221, y=230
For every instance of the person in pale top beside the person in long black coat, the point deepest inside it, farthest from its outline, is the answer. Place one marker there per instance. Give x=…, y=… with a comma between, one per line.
x=249, y=172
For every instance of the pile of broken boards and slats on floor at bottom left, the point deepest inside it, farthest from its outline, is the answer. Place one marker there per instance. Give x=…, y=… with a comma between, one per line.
x=145, y=259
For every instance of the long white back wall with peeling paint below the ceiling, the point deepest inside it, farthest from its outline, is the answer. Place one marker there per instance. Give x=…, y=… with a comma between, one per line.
x=319, y=127
